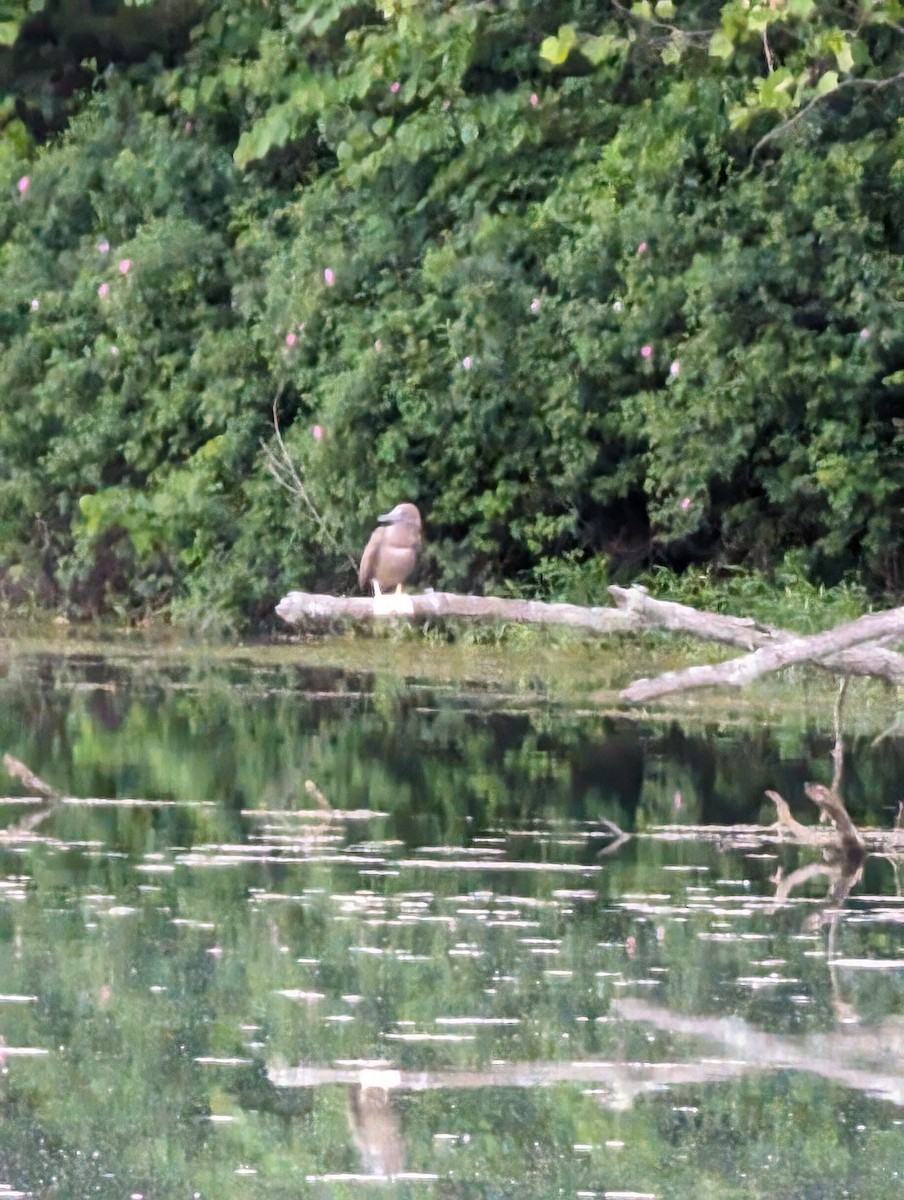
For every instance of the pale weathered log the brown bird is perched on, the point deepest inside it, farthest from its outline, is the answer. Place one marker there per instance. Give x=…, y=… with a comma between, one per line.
x=301, y=608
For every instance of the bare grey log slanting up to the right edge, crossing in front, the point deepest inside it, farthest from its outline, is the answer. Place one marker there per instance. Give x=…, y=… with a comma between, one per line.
x=741, y=671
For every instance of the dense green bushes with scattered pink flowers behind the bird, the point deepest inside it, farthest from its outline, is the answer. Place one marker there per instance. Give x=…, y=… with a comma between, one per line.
x=596, y=291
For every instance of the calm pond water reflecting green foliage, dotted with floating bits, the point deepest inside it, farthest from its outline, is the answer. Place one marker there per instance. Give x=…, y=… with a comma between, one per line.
x=296, y=933
